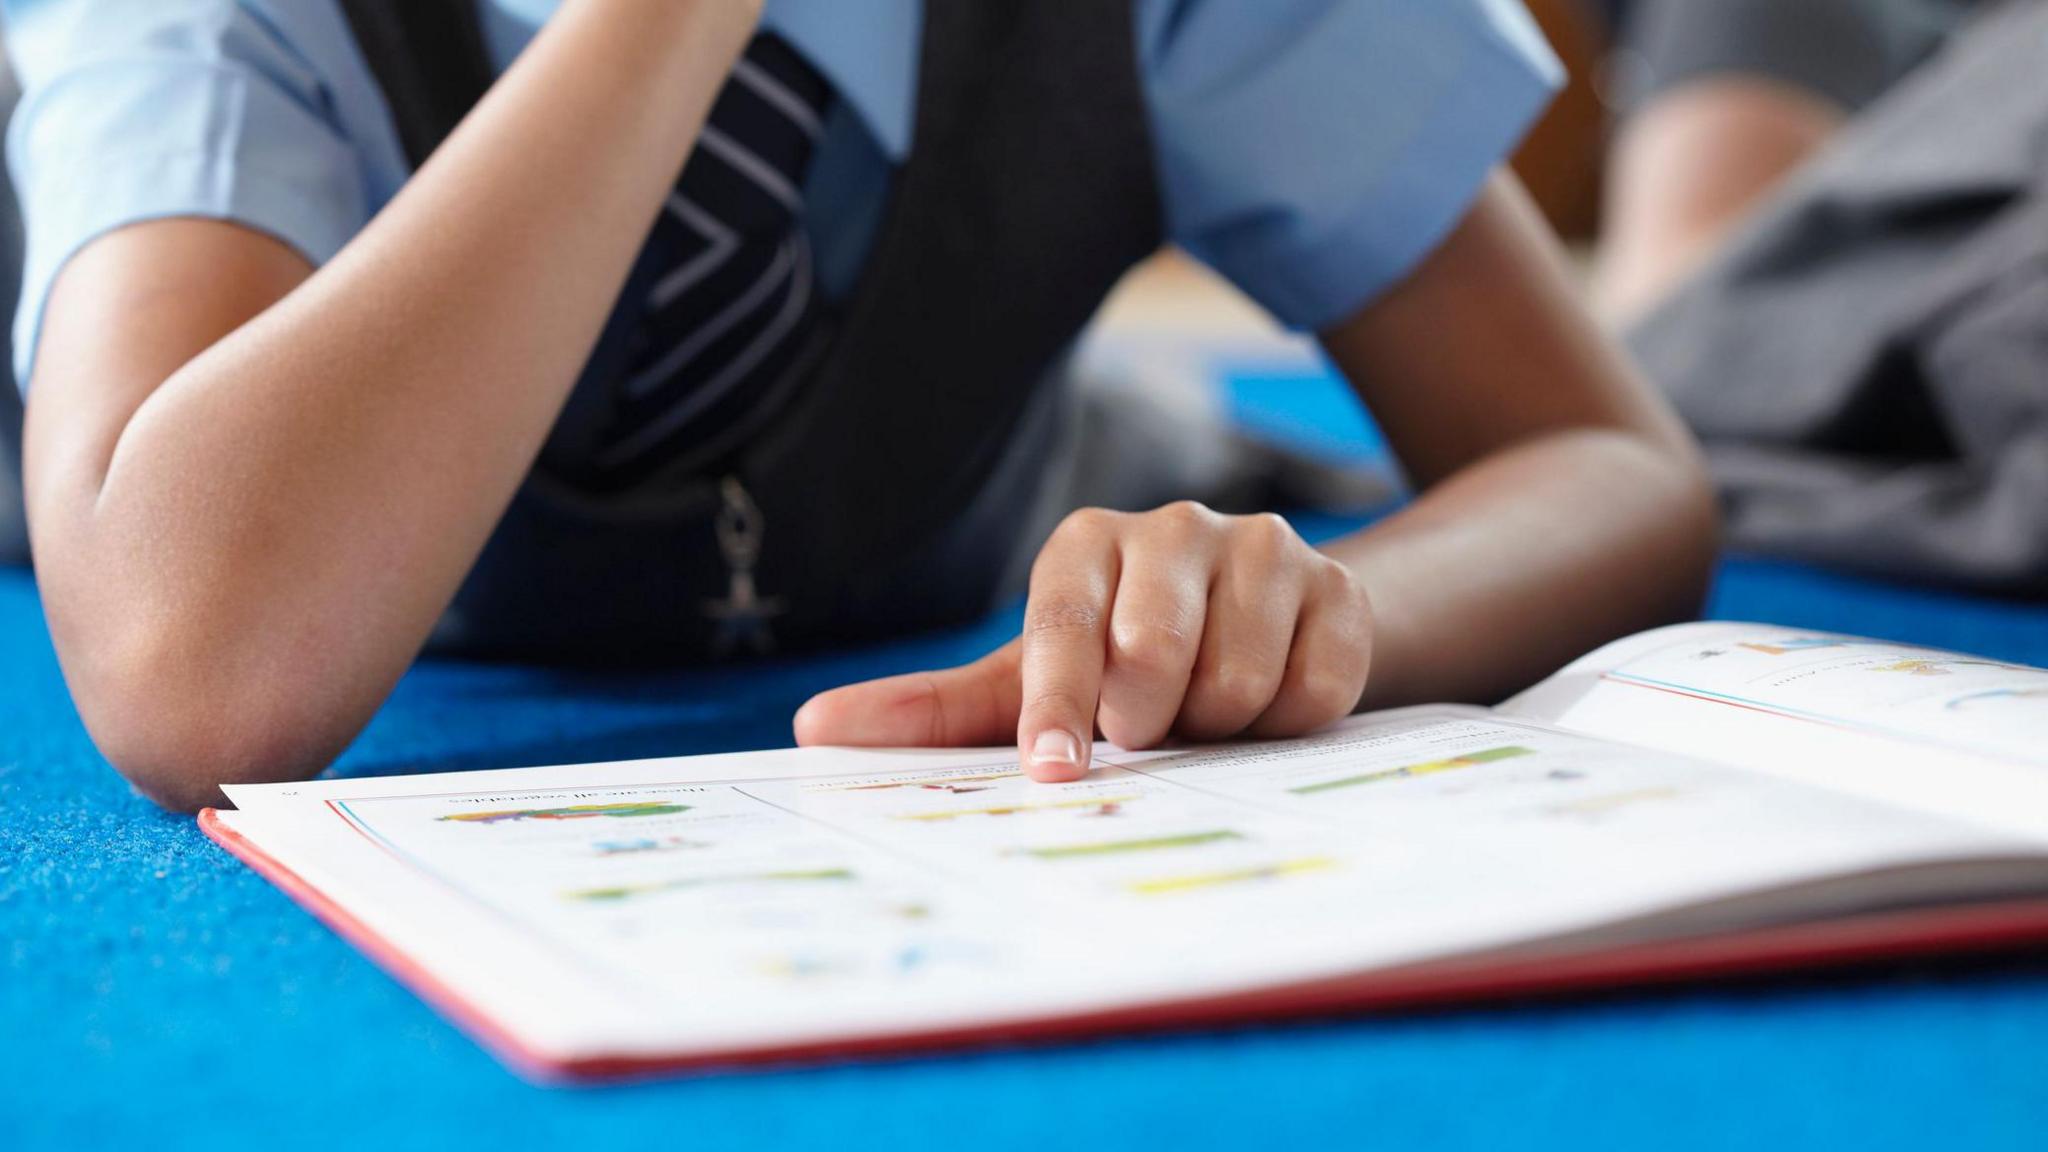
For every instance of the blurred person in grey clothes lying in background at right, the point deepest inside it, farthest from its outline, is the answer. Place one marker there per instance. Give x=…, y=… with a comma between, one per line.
x=1830, y=249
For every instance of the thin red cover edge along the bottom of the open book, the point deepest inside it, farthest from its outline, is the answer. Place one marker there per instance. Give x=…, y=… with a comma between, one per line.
x=1967, y=930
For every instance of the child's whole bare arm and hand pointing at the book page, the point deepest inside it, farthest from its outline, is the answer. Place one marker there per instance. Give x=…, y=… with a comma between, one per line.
x=1562, y=505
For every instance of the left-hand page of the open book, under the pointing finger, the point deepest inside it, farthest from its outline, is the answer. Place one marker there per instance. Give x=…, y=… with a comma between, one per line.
x=746, y=903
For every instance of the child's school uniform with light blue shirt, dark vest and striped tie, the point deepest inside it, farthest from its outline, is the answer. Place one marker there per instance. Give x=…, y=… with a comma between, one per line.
x=824, y=397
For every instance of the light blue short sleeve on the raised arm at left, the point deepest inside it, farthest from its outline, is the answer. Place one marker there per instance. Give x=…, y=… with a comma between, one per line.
x=144, y=110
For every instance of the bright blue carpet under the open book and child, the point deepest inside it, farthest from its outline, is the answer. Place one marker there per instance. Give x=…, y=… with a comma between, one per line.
x=157, y=993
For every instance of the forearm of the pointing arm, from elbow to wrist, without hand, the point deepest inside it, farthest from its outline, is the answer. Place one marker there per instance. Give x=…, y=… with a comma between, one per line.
x=1527, y=561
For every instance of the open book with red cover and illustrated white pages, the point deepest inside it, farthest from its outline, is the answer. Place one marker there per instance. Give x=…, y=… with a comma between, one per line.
x=1689, y=803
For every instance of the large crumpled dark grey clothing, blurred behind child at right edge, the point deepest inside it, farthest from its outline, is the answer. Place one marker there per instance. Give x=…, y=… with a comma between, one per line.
x=1869, y=362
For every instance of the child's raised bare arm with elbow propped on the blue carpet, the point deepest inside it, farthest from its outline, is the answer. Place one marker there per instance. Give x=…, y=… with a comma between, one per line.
x=253, y=487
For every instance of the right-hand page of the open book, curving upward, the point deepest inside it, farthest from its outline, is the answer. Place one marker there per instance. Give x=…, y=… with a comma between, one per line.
x=1938, y=731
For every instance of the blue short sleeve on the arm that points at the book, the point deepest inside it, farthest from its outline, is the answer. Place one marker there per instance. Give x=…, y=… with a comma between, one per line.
x=1316, y=151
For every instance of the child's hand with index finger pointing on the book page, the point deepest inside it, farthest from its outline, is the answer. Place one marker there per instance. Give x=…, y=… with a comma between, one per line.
x=1138, y=626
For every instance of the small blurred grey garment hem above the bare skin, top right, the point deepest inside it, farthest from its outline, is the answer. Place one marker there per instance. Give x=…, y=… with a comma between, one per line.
x=1842, y=50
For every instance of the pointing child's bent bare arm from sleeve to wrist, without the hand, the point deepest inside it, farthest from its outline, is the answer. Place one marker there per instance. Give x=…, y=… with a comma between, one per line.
x=1562, y=501
